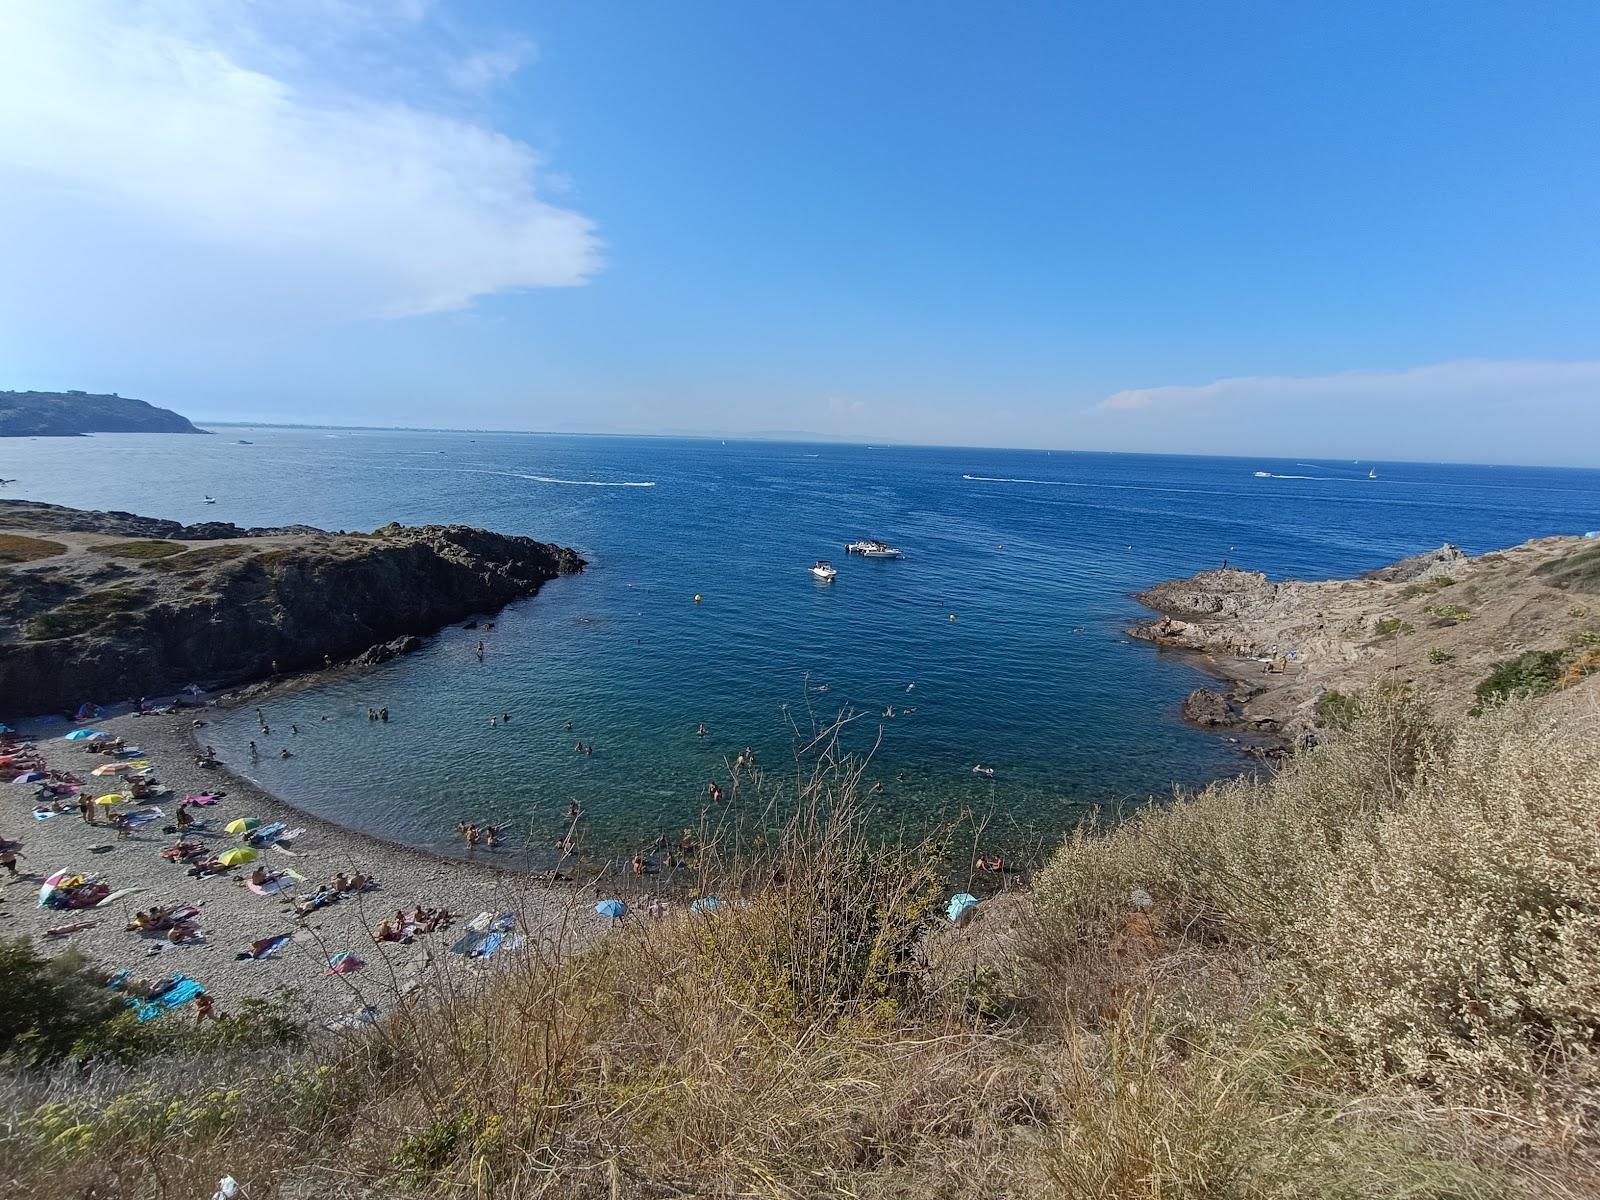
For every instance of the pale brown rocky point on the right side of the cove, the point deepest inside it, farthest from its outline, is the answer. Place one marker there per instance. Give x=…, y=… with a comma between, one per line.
x=1455, y=628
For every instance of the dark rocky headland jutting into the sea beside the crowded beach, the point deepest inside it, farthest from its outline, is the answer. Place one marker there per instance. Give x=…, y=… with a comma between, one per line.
x=110, y=606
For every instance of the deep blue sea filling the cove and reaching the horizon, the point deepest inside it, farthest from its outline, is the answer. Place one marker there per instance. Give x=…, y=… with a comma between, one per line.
x=1033, y=554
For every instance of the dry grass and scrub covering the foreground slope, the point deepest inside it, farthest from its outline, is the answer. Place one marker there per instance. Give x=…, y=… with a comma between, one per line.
x=1372, y=974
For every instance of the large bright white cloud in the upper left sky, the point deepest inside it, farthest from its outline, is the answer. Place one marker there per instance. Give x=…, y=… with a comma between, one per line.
x=178, y=162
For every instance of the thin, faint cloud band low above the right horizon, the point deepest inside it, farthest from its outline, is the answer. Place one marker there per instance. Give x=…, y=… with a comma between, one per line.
x=1466, y=380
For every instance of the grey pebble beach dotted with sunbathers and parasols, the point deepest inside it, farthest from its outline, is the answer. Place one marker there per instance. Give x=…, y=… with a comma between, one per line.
x=231, y=916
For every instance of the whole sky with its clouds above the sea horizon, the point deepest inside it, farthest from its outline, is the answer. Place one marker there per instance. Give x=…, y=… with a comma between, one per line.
x=1354, y=231
